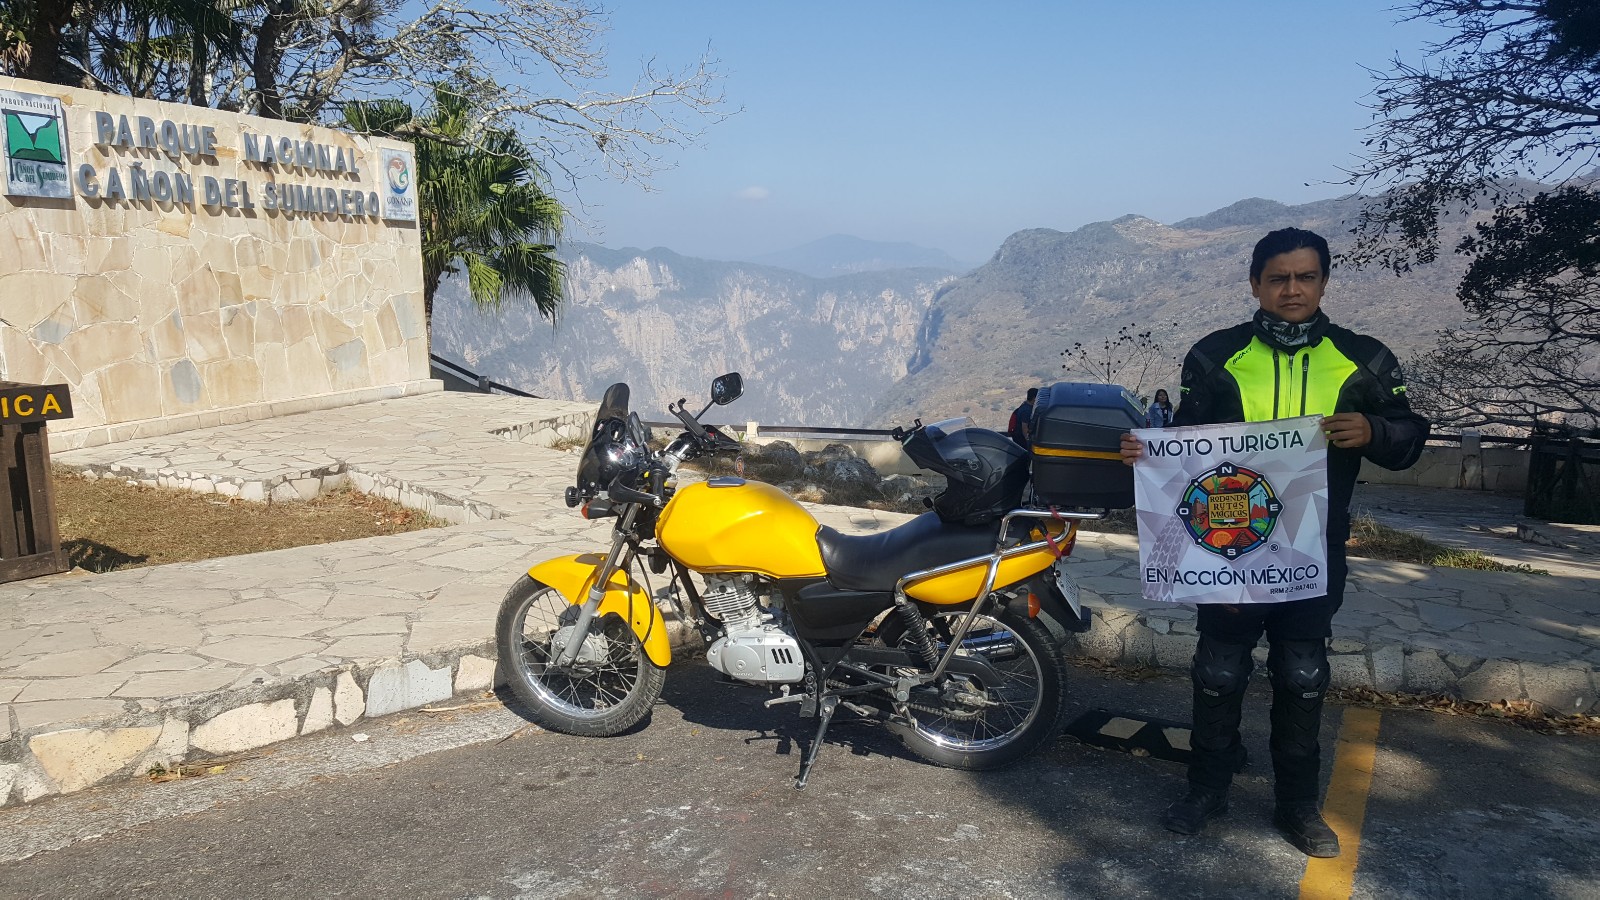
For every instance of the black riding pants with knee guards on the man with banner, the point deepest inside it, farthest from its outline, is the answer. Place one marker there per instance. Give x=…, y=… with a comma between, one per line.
x=1298, y=665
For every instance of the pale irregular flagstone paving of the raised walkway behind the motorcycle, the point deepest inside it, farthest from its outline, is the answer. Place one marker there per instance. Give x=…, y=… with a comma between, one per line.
x=105, y=677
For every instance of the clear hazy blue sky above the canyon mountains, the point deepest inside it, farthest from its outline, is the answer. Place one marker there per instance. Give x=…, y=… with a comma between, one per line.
x=953, y=126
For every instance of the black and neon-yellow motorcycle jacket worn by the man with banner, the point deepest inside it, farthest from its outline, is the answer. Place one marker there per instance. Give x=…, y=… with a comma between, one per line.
x=1234, y=376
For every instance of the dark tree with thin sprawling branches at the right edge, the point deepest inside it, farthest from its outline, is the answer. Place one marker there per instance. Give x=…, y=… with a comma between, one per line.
x=1502, y=126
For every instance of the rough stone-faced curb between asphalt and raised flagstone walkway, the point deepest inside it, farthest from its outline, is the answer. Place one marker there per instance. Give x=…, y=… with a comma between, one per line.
x=54, y=760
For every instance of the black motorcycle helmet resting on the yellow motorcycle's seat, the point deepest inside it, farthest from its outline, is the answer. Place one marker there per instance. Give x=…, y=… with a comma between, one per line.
x=986, y=470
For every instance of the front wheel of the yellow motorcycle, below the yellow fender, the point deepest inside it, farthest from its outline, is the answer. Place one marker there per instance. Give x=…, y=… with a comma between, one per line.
x=606, y=691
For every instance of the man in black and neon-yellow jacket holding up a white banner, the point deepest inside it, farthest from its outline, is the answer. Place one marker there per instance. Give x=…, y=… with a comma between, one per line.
x=1289, y=361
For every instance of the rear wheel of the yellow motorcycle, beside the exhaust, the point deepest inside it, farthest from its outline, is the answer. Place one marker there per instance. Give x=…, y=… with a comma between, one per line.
x=1014, y=718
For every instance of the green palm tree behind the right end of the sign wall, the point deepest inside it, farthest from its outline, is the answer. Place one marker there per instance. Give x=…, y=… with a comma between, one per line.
x=482, y=204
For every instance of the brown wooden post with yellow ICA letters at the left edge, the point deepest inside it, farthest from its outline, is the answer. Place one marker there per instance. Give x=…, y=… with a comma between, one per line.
x=30, y=539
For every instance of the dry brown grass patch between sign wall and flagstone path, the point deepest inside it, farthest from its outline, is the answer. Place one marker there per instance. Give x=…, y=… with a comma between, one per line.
x=110, y=524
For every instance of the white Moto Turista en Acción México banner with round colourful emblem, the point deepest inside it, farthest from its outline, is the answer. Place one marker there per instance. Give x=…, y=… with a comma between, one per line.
x=1234, y=513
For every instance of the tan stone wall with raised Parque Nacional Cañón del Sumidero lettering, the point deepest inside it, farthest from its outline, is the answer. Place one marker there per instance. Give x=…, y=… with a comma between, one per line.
x=169, y=310
